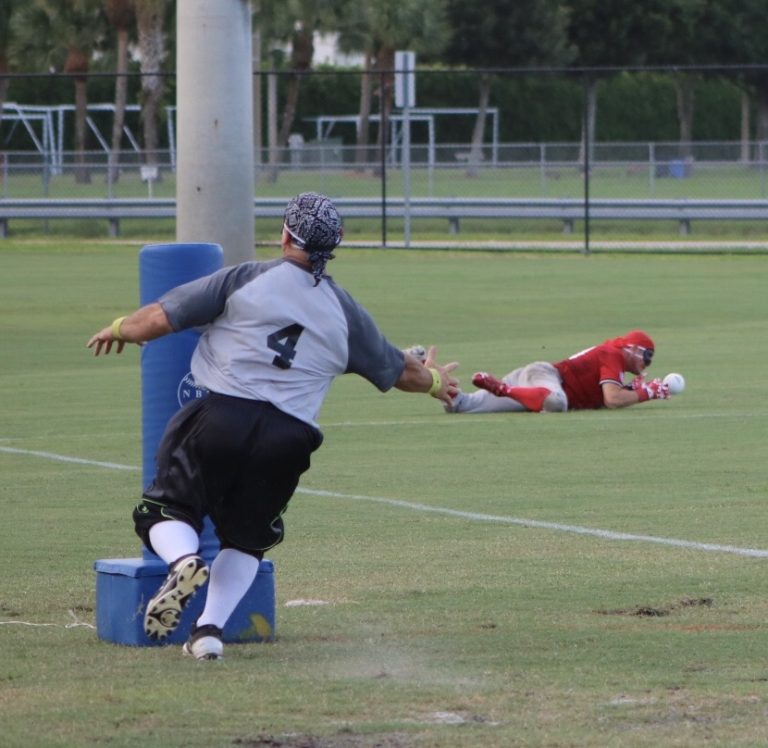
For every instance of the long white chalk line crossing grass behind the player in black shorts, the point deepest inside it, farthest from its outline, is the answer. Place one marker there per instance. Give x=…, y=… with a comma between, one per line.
x=473, y=516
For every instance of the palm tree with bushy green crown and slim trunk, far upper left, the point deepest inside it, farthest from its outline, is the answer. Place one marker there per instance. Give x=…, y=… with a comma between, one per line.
x=62, y=35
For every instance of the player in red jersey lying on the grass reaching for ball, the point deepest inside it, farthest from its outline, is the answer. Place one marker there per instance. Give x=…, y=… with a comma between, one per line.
x=590, y=379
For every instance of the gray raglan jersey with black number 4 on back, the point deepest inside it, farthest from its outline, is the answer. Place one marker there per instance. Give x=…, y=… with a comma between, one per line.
x=268, y=333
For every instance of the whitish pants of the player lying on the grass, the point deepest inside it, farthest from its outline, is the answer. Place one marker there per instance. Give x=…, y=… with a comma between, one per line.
x=537, y=374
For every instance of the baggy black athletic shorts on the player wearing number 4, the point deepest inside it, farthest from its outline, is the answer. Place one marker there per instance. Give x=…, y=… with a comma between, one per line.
x=237, y=461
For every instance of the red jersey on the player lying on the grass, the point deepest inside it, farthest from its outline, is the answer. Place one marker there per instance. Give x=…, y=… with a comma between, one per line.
x=584, y=373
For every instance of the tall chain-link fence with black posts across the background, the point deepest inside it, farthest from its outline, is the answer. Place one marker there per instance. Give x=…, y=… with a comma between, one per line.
x=448, y=187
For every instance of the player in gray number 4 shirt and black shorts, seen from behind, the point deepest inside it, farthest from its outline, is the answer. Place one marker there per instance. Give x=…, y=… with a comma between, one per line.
x=275, y=336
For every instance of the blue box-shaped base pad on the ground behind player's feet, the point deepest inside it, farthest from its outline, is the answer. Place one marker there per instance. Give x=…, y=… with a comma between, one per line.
x=123, y=586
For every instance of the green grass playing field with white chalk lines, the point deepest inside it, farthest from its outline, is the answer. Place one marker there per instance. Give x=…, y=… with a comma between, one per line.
x=449, y=620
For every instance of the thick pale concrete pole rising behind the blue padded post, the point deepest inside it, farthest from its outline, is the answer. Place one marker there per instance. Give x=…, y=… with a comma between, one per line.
x=215, y=181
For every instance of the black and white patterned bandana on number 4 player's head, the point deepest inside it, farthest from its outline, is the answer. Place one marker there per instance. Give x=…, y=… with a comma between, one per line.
x=315, y=226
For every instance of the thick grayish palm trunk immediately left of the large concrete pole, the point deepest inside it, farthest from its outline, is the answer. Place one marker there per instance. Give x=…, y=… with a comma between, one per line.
x=150, y=19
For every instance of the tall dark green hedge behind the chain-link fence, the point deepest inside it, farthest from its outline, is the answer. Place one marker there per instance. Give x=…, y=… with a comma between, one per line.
x=637, y=106
